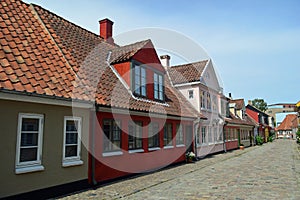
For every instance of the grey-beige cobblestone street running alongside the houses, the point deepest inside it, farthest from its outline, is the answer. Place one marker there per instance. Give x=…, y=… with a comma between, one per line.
x=271, y=171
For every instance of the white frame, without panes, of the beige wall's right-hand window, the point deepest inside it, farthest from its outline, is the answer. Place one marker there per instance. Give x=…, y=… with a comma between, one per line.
x=74, y=160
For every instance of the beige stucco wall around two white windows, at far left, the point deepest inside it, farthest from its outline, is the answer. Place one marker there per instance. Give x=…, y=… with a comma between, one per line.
x=54, y=173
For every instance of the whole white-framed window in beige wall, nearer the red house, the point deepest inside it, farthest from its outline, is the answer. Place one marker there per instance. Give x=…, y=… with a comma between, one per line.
x=72, y=141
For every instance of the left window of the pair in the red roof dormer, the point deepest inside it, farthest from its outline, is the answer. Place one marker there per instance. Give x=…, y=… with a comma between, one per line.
x=139, y=80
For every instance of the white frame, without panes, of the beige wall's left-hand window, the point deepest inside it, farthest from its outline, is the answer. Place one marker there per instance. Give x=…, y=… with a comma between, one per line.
x=29, y=166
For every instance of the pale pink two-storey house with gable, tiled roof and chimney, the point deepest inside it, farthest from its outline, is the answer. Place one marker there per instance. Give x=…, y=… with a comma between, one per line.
x=200, y=86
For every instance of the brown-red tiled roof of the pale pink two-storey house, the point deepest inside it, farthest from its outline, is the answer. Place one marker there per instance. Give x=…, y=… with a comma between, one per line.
x=187, y=73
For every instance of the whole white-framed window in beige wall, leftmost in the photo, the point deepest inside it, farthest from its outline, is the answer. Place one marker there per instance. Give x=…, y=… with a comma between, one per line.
x=29, y=143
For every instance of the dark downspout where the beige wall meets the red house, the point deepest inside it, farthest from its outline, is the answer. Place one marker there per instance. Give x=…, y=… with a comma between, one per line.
x=93, y=113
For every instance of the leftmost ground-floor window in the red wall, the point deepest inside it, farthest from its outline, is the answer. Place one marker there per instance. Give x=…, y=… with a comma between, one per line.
x=112, y=135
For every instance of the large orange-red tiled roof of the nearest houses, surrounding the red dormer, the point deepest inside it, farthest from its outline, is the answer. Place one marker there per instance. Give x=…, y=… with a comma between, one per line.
x=45, y=54
